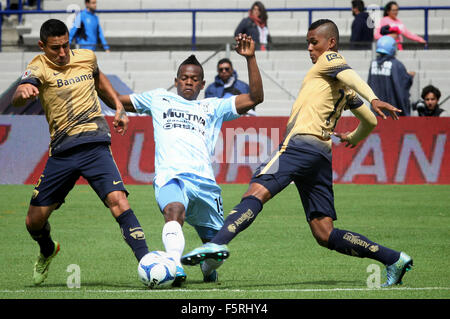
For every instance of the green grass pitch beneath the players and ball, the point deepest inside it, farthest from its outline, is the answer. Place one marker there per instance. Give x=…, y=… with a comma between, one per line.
x=276, y=258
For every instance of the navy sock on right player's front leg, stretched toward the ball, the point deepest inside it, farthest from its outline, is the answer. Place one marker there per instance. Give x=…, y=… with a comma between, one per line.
x=238, y=219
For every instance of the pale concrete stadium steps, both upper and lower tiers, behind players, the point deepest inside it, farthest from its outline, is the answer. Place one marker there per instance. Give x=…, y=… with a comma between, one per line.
x=282, y=70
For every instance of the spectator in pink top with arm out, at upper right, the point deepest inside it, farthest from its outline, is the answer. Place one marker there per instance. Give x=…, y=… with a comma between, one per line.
x=390, y=18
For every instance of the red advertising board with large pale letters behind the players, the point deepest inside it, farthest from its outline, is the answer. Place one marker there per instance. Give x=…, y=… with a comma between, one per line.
x=414, y=150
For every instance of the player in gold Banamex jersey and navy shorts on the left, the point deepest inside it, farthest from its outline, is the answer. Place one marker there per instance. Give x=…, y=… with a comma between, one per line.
x=68, y=83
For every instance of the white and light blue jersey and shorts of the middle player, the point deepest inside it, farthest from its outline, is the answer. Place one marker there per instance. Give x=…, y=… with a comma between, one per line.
x=185, y=134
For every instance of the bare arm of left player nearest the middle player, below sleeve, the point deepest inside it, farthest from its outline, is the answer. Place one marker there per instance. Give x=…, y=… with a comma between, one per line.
x=109, y=96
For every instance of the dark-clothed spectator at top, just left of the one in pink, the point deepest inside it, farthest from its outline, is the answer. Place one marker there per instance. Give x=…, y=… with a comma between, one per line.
x=362, y=27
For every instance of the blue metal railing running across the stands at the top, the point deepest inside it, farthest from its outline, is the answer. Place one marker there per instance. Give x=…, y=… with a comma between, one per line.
x=194, y=12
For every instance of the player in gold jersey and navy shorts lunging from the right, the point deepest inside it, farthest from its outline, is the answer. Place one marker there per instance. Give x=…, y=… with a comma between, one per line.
x=304, y=157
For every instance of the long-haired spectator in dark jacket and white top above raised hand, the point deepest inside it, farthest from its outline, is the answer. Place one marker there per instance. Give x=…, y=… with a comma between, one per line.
x=255, y=25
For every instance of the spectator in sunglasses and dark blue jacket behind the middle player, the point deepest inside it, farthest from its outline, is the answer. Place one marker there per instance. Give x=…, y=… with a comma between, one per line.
x=226, y=83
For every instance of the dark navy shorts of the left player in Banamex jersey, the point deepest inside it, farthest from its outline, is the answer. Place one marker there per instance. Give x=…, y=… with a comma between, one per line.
x=93, y=161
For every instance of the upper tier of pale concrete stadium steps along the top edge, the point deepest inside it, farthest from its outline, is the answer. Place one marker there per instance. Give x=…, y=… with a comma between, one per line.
x=161, y=28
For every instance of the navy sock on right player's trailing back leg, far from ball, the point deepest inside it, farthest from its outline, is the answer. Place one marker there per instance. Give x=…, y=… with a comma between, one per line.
x=354, y=244
